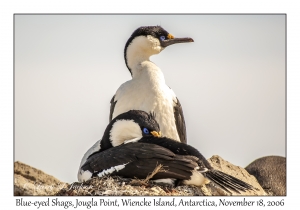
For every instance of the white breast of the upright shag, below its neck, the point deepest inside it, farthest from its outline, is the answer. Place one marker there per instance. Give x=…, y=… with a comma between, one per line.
x=147, y=91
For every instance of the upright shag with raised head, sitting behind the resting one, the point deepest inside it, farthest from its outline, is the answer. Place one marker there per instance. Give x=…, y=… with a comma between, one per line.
x=147, y=89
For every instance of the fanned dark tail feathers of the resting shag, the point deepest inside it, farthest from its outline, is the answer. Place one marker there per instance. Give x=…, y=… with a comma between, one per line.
x=227, y=182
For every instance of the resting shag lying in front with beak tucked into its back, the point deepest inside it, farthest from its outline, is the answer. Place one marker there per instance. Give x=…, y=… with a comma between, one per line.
x=132, y=146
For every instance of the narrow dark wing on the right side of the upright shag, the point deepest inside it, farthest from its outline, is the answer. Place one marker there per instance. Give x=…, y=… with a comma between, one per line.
x=179, y=121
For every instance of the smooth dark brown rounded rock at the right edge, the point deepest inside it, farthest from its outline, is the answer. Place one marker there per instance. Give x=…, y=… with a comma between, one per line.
x=270, y=172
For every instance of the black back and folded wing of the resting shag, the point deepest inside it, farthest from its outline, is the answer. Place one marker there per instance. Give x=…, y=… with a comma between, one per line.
x=139, y=160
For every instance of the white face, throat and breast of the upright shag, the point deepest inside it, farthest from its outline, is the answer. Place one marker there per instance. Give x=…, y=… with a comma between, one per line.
x=147, y=90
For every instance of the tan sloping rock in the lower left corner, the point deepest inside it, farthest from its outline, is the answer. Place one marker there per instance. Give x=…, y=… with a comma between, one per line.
x=31, y=181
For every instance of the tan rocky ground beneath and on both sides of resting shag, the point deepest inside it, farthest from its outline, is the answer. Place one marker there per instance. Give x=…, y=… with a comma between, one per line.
x=31, y=181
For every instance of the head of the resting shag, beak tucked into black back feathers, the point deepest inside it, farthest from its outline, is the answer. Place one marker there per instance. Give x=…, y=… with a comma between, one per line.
x=130, y=126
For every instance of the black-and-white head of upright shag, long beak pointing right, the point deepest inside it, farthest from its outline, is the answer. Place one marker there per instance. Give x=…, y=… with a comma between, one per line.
x=148, y=40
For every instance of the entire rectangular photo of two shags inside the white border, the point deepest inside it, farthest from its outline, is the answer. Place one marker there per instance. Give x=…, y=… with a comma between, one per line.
x=150, y=105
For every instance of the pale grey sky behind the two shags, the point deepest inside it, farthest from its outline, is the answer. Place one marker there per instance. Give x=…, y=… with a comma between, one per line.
x=230, y=82
